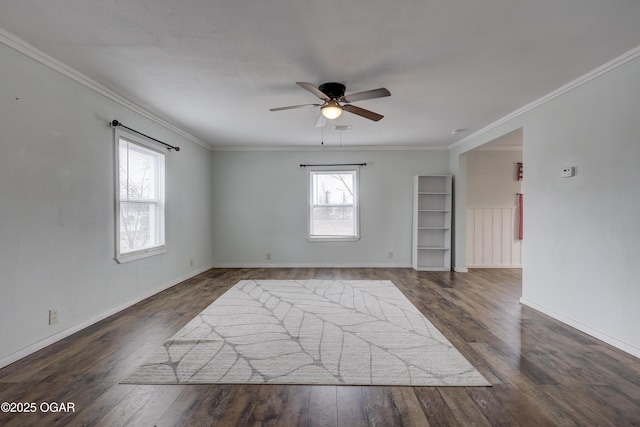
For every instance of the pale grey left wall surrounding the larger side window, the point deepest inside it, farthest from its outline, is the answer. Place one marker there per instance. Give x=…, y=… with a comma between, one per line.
x=57, y=208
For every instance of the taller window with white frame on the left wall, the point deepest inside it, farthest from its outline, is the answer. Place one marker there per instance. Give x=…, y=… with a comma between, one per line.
x=139, y=199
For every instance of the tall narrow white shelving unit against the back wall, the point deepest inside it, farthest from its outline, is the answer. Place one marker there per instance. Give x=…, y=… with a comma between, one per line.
x=432, y=222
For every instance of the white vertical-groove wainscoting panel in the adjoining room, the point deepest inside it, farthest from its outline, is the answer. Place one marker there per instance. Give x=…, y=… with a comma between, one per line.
x=492, y=238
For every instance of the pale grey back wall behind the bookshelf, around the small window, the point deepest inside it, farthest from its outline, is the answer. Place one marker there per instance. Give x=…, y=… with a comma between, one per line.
x=260, y=206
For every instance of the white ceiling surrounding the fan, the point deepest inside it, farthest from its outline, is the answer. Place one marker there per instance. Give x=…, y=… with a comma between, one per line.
x=214, y=68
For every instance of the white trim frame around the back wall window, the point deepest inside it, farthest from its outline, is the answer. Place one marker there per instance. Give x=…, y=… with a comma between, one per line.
x=356, y=203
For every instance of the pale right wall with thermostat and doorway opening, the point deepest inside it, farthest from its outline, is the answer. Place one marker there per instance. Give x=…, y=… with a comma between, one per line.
x=580, y=262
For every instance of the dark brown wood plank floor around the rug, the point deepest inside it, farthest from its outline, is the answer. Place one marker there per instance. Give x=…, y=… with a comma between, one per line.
x=543, y=372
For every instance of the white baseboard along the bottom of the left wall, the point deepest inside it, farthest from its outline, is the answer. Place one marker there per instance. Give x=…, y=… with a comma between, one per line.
x=14, y=357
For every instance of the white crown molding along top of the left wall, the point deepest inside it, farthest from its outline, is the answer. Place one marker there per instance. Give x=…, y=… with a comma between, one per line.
x=37, y=55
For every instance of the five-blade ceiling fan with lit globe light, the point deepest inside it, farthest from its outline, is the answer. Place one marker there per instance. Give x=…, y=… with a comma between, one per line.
x=335, y=101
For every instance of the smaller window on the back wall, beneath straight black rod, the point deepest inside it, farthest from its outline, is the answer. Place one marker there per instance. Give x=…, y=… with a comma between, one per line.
x=333, y=205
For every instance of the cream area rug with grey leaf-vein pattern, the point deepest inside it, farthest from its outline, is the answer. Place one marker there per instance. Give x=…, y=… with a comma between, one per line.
x=330, y=332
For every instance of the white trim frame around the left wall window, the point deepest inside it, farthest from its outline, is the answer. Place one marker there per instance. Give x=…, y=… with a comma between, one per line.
x=150, y=145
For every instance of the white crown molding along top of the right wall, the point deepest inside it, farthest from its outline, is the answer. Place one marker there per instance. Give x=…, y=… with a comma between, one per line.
x=603, y=69
